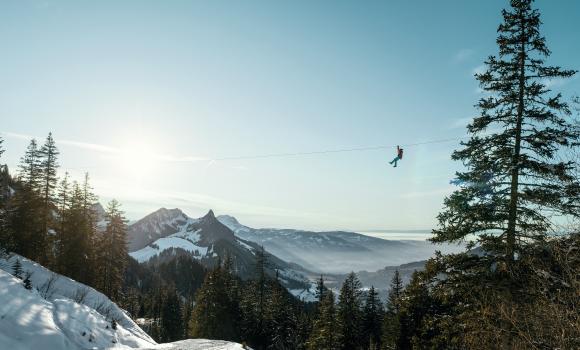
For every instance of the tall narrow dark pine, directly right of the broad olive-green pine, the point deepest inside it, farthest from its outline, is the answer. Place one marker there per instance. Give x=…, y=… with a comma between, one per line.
x=350, y=312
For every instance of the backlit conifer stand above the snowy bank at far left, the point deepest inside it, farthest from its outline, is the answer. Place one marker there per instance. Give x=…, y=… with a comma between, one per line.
x=54, y=221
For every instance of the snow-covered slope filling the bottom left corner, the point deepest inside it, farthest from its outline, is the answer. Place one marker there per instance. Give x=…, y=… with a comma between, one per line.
x=60, y=313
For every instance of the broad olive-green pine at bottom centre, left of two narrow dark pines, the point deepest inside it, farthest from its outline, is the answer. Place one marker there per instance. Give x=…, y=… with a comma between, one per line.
x=326, y=330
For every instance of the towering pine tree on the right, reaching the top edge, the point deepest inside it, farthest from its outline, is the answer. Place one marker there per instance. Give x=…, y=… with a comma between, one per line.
x=513, y=182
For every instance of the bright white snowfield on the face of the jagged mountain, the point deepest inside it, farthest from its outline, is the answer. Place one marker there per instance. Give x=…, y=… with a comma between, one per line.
x=183, y=240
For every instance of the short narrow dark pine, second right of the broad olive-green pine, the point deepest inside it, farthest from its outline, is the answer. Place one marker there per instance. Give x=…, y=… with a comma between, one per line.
x=372, y=320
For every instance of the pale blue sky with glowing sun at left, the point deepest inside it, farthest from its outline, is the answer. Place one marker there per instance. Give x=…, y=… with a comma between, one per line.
x=145, y=95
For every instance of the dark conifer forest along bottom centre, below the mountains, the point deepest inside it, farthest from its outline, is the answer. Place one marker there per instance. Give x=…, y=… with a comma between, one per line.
x=264, y=315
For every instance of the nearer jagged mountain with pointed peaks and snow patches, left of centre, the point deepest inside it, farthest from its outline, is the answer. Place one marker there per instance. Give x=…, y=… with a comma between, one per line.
x=167, y=232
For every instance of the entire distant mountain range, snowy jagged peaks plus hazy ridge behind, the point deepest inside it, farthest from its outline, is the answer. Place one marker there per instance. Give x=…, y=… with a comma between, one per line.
x=297, y=255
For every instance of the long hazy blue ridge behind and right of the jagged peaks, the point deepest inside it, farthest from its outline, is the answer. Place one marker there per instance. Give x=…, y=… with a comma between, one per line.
x=335, y=251
